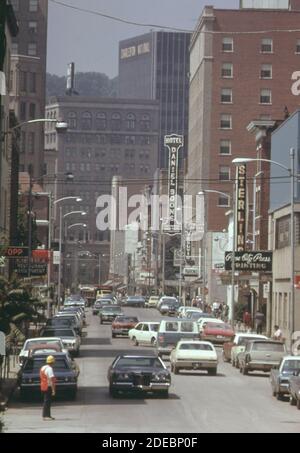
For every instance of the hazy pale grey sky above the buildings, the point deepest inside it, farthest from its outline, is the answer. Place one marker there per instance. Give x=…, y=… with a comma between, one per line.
x=92, y=41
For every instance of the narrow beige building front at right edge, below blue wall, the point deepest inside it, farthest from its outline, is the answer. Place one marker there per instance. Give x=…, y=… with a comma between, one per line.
x=280, y=310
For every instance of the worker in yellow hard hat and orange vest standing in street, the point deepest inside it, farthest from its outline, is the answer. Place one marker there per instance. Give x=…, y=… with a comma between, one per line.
x=48, y=387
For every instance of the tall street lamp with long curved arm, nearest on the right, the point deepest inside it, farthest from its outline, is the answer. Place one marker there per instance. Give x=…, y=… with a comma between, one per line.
x=292, y=174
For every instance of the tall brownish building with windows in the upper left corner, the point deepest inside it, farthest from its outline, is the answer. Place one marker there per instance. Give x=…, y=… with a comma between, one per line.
x=28, y=80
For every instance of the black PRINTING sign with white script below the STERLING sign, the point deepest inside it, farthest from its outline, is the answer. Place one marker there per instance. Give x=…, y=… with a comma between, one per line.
x=250, y=261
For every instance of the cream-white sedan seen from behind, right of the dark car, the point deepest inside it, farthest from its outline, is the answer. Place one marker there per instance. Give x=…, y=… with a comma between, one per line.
x=194, y=355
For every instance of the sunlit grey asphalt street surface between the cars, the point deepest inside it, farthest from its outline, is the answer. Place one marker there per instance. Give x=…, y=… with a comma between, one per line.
x=228, y=403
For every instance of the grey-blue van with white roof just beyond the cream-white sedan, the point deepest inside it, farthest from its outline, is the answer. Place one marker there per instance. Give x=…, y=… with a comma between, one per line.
x=171, y=331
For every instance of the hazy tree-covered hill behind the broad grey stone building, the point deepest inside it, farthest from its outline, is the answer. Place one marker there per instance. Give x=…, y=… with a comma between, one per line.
x=86, y=84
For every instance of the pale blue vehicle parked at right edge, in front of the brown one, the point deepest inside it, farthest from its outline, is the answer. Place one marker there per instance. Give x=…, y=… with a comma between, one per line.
x=280, y=376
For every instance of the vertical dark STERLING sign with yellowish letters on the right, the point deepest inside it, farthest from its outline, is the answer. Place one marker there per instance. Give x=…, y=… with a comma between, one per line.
x=241, y=208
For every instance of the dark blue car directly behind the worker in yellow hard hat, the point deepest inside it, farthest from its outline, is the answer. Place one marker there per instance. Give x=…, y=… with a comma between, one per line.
x=65, y=369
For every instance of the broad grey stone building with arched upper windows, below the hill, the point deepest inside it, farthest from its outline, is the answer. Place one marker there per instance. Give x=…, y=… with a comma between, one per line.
x=107, y=138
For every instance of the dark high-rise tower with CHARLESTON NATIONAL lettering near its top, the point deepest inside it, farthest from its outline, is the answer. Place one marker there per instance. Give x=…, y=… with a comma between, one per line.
x=156, y=66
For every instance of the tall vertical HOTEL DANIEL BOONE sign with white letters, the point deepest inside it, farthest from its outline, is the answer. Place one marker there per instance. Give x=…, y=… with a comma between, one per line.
x=174, y=143
